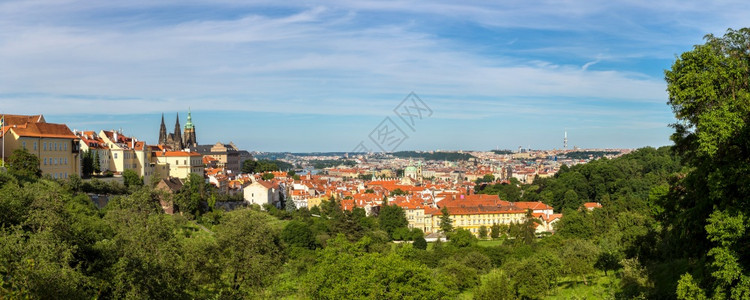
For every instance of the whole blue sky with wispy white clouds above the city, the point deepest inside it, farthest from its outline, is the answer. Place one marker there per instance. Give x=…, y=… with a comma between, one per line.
x=320, y=76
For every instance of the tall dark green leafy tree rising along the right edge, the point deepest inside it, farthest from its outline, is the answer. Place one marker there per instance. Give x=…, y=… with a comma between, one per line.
x=709, y=93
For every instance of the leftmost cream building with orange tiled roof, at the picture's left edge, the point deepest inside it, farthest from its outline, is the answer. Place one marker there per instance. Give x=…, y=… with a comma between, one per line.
x=54, y=144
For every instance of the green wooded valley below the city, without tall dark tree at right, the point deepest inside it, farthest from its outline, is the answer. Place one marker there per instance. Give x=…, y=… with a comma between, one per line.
x=56, y=244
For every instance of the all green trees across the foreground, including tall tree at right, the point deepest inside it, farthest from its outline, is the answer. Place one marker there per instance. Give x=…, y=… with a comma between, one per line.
x=673, y=226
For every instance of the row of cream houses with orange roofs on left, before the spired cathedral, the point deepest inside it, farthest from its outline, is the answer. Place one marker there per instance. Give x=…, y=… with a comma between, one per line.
x=59, y=150
